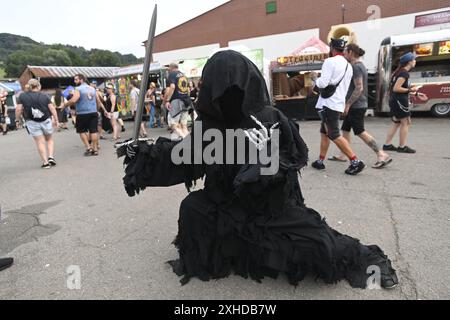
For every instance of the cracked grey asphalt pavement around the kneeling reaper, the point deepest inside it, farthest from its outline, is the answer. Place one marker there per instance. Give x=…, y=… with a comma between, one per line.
x=77, y=216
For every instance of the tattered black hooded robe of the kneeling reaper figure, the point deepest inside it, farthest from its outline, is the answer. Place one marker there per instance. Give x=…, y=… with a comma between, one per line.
x=243, y=222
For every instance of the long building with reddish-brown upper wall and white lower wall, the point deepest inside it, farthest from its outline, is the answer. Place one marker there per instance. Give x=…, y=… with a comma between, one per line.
x=278, y=27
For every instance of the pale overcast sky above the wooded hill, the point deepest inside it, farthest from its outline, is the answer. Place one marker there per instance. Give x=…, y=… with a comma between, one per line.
x=117, y=25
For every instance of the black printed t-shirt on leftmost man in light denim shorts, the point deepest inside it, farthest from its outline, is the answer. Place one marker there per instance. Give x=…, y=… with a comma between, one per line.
x=35, y=106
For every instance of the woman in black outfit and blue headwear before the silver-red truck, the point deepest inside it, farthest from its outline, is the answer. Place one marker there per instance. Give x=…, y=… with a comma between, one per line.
x=399, y=91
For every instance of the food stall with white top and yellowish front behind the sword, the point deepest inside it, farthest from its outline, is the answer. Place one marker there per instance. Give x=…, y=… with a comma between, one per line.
x=124, y=76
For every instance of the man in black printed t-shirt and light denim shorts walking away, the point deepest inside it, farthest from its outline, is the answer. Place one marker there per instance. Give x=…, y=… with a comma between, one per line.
x=41, y=117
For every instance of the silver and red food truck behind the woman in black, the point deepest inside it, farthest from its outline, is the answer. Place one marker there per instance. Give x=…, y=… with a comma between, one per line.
x=431, y=75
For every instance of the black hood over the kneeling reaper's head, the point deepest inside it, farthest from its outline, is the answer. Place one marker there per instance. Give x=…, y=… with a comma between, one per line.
x=226, y=70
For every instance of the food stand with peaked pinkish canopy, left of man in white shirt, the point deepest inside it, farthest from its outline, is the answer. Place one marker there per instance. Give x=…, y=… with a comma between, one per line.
x=290, y=82
